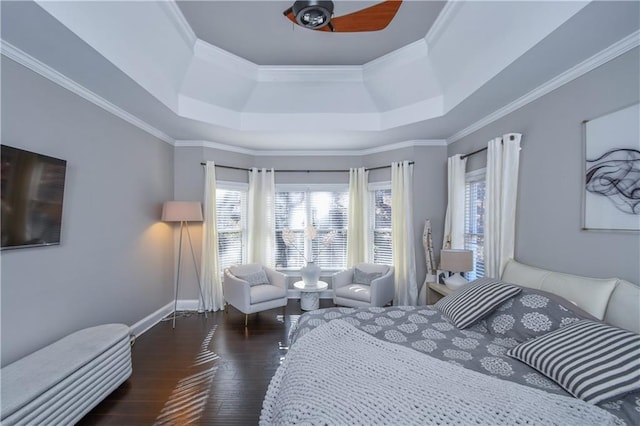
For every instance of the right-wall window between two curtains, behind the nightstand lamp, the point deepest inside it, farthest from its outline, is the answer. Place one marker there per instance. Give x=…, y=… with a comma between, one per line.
x=474, y=215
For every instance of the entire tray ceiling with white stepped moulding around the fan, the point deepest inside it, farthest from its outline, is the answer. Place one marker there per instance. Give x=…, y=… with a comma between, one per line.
x=239, y=74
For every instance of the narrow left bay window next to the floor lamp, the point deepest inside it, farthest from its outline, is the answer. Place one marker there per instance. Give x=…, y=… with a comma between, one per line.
x=231, y=218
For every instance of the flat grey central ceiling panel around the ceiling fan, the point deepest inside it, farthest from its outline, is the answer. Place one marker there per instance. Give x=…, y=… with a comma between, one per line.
x=258, y=32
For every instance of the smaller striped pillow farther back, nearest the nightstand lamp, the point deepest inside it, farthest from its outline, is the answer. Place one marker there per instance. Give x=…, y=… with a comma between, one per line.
x=475, y=301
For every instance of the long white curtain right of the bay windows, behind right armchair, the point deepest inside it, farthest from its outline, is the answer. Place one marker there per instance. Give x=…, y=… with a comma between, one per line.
x=402, y=231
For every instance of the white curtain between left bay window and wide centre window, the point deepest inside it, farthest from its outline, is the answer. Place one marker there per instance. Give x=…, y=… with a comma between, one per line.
x=261, y=228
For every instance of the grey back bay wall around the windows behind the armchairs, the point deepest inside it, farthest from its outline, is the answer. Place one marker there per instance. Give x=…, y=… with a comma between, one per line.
x=429, y=184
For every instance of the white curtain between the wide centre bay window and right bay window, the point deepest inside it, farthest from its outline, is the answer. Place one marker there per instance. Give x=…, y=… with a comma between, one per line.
x=357, y=228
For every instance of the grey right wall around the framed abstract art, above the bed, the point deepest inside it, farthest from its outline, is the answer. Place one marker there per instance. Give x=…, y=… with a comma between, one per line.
x=549, y=208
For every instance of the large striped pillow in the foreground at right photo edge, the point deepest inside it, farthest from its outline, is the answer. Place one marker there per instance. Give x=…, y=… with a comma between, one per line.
x=590, y=360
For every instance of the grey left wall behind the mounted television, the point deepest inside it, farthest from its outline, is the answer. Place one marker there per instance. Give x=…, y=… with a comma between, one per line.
x=115, y=261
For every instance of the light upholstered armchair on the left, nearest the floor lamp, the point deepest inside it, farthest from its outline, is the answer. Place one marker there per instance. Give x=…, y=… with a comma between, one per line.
x=253, y=288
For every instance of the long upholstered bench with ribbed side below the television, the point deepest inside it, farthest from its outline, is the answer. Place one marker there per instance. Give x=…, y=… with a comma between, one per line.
x=60, y=383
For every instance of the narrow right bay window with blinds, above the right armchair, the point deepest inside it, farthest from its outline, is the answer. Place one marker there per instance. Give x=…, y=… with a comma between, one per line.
x=380, y=242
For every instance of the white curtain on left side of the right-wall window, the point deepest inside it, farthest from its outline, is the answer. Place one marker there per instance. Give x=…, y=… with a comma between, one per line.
x=454, y=217
